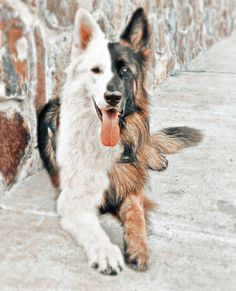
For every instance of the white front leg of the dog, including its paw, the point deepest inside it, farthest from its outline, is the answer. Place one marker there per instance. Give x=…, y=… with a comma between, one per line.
x=80, y=219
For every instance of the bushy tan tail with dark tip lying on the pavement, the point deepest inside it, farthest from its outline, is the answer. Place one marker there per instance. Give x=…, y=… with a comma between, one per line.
x=173, y=139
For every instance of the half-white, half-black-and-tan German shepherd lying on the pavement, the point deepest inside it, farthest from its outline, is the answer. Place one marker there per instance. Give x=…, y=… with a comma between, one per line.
x=96, y=145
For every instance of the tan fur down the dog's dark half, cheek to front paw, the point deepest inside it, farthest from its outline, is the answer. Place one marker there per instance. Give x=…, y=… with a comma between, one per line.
x=129, y=181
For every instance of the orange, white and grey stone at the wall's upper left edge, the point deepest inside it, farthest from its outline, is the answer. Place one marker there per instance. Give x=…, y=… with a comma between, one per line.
x=14, y=54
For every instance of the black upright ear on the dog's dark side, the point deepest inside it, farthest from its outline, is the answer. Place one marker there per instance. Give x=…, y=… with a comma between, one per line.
x=137, y=32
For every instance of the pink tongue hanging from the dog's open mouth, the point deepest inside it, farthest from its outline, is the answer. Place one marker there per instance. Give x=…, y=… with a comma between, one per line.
x=110, y=133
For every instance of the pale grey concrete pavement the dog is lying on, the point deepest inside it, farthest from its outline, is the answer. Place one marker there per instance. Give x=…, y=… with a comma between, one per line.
x=192, y=234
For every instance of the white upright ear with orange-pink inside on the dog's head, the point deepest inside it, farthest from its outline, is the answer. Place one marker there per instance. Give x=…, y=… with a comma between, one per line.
x=85, y=30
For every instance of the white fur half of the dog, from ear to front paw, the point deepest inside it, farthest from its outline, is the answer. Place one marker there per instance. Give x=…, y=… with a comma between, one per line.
x=83, y=160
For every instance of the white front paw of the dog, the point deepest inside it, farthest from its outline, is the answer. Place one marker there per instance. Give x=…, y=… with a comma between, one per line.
x=106, y=259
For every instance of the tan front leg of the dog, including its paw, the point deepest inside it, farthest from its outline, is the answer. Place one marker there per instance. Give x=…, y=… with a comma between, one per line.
x=133, y=219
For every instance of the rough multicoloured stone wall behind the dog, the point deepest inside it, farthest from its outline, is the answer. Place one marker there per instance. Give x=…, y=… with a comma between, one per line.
x=35, y=38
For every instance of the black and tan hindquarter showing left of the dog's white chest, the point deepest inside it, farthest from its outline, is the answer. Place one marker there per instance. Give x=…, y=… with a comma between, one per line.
x=48, y=121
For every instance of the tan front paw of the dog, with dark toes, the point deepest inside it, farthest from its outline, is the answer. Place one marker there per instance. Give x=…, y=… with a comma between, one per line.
x=137, y=256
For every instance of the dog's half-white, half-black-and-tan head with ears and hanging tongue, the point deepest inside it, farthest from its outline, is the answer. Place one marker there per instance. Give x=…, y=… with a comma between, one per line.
x=113, y=73
